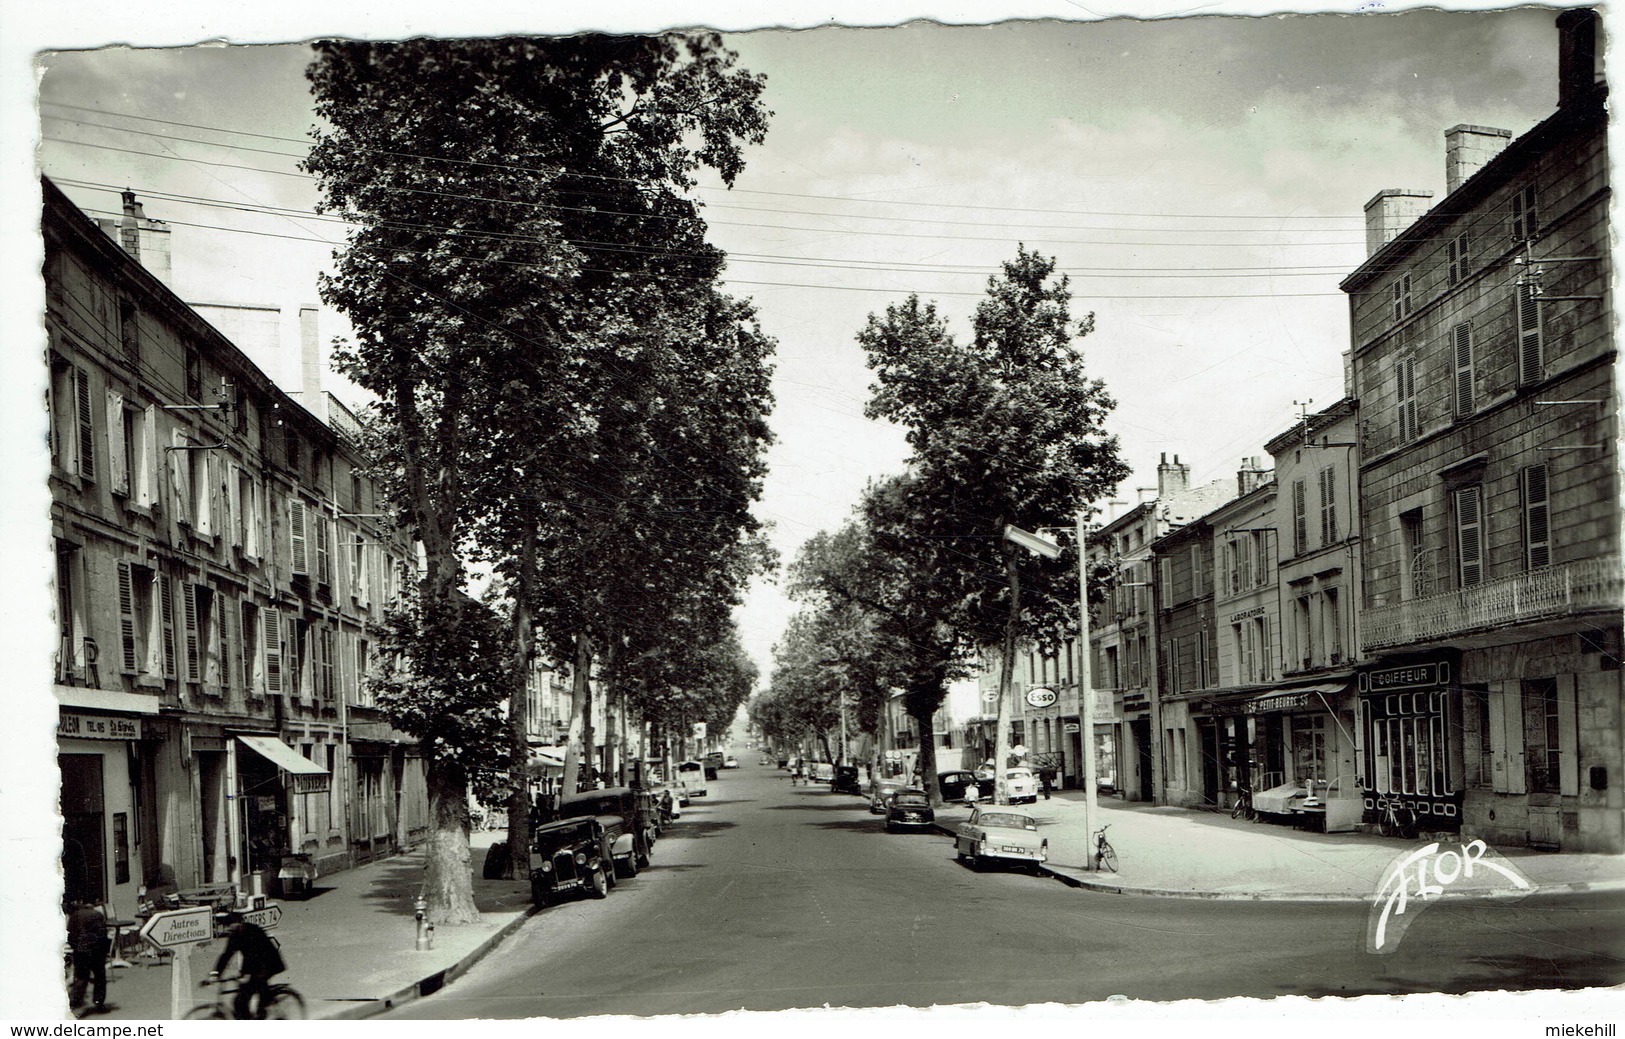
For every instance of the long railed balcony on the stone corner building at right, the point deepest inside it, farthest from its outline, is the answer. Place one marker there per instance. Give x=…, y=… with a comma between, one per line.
x=1532, y=598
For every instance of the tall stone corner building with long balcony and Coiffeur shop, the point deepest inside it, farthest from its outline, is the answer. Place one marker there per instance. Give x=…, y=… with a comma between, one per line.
x=1484, y=363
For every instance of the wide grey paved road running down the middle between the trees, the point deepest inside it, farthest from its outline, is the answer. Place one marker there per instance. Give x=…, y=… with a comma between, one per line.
x=773, y=898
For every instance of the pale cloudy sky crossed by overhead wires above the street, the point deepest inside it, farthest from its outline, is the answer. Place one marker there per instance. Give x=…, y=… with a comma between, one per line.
x=1202, y=181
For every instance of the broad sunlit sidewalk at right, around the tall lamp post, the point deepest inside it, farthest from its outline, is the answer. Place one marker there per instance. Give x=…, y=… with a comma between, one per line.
x=1189, y=853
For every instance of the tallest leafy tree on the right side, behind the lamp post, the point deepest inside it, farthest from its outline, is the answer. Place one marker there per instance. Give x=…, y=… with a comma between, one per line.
x=1005, y=428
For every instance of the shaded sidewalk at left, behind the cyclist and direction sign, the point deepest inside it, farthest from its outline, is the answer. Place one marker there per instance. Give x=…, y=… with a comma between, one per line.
x=350, y=947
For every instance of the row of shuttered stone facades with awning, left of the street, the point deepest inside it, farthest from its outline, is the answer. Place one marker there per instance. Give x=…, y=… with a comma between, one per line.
x=220, y=572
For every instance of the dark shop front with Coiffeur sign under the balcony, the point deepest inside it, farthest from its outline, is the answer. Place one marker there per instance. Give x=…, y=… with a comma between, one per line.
x=1411, y=754
